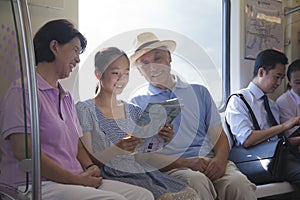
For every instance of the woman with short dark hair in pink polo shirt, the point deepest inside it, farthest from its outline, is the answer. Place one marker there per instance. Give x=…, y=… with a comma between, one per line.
x=67, y=171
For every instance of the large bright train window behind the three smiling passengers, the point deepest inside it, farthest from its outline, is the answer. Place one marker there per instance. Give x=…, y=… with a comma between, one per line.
x=195, y=25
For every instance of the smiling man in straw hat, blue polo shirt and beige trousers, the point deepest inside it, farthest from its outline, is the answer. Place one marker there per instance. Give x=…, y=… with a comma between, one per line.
x=200, y=144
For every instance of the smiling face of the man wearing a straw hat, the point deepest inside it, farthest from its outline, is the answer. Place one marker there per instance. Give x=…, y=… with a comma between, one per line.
x=155, y=66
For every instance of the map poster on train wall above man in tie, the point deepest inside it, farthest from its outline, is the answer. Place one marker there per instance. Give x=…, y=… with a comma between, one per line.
x=263, y=26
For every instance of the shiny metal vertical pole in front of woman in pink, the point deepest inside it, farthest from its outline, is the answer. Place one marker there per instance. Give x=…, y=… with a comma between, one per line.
x=33, y=96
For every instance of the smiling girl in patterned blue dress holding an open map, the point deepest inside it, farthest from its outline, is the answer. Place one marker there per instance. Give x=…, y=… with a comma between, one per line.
x=106, y=123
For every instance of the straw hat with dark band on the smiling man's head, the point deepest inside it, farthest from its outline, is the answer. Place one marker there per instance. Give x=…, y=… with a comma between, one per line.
x=148, y=41
